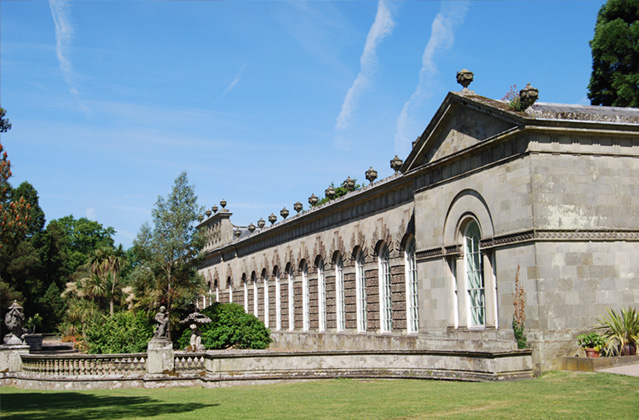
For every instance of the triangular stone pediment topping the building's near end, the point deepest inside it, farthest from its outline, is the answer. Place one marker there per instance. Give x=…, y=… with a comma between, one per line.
x=460, y=123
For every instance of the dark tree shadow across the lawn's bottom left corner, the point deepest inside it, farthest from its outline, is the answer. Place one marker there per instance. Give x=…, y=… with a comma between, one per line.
x=66, y=405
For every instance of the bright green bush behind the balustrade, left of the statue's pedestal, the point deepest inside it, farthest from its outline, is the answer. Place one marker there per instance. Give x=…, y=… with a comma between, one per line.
x=123, y=332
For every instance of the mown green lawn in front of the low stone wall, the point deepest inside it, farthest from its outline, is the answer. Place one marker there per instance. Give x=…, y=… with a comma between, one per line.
x=557, y=395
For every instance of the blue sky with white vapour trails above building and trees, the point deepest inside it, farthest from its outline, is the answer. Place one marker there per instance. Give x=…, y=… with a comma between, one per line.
x=261, y=102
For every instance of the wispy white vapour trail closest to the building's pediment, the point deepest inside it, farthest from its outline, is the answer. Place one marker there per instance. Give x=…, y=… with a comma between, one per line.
x=442, y=37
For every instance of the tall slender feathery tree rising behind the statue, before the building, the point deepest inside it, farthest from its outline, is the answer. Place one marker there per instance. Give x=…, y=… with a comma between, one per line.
x=169, y=251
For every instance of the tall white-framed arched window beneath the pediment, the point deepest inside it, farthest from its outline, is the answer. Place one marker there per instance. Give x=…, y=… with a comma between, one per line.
x=474, y=275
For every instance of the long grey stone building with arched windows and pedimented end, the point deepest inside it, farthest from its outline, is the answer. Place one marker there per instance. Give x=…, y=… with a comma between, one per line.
x=484, y=191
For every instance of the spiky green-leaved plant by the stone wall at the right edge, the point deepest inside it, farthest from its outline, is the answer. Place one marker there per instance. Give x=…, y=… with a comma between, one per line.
x=621, y=331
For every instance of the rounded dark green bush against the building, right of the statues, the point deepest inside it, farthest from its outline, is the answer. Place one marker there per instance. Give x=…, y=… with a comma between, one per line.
x=230, y=327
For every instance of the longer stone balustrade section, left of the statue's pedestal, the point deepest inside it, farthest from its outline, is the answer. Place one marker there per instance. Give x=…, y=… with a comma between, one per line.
x=131, y=364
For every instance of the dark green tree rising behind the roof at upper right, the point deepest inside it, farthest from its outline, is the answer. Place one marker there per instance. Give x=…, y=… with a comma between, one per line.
x=615, y=55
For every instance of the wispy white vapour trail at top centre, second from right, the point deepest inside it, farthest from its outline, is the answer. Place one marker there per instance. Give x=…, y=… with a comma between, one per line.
x=382, y=27
